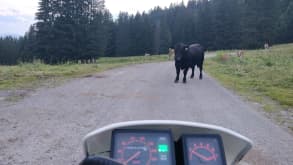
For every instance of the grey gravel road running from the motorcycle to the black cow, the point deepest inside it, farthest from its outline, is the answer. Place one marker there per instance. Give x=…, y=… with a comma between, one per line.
x=47, y=126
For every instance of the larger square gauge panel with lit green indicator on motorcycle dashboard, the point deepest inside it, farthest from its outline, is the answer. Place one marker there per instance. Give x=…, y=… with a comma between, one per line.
x=131, y=147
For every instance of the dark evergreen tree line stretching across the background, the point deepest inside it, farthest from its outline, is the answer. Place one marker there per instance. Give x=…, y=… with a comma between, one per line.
x=84, y=30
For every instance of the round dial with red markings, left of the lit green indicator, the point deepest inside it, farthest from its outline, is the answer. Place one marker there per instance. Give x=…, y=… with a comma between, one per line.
x=136, y=151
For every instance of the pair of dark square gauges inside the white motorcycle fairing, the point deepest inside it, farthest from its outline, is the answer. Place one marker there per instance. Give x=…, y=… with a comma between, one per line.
x=148, y=147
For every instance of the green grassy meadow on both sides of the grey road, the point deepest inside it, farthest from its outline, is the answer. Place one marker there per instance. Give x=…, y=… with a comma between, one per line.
x=260, y=75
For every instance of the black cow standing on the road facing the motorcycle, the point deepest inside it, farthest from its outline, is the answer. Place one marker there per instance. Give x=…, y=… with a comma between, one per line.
x=188, y=56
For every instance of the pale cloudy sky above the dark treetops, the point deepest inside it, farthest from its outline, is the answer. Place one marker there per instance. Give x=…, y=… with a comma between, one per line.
x=17, y=15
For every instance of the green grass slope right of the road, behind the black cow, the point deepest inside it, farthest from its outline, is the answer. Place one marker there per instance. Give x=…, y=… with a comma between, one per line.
x=258, y=75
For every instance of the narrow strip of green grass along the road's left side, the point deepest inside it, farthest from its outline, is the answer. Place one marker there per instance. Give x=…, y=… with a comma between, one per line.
x=32, y=74
